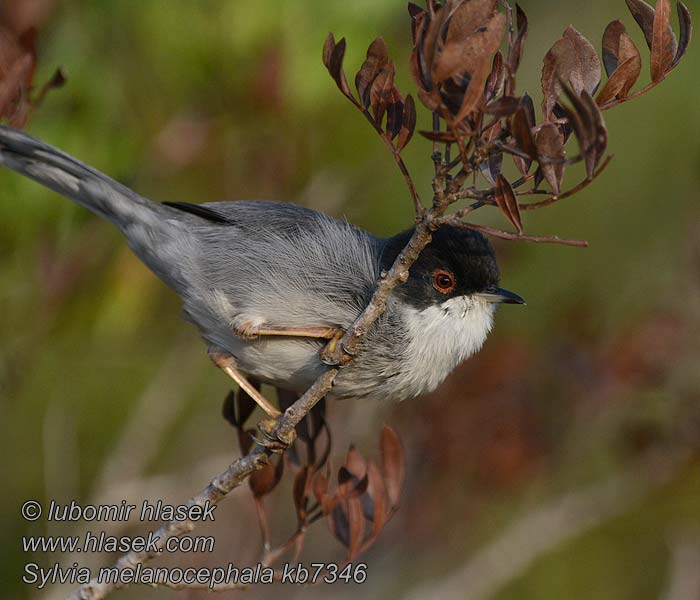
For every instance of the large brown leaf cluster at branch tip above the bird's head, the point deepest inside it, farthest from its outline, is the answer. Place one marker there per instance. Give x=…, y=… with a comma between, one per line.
x=464, y=62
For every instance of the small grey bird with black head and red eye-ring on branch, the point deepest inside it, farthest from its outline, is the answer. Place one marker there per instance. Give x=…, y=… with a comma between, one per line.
x=269, y=283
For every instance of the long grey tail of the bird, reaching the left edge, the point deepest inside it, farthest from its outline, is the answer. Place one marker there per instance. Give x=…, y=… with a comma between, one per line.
x=75, y=180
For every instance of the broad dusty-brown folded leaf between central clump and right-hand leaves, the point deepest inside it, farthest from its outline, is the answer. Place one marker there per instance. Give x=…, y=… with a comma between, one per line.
x=574, y=60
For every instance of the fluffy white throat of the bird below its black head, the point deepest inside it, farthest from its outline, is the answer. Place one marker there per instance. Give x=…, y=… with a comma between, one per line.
x=441, y=337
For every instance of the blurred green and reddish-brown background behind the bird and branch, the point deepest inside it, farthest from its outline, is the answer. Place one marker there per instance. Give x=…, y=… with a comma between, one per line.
x=561, y=462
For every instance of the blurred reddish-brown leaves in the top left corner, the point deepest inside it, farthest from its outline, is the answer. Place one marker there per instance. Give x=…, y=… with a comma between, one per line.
x=18, y=57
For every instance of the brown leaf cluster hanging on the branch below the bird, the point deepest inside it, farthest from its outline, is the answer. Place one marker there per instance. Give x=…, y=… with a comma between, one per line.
x=356, y=501
